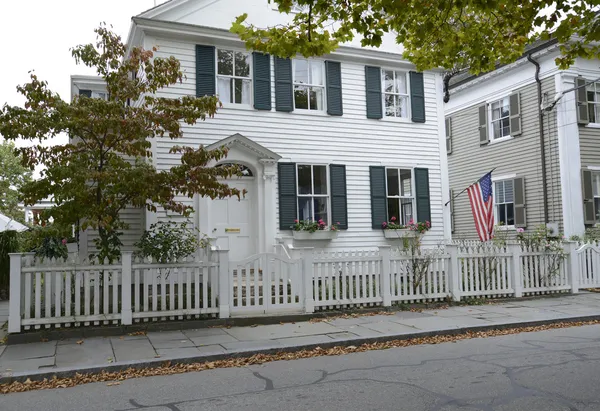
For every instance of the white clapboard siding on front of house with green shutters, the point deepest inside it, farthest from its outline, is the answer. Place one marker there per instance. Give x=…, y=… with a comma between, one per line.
x=350, y=139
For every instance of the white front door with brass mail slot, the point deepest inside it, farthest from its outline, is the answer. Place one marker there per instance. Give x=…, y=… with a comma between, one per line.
x=233, y=221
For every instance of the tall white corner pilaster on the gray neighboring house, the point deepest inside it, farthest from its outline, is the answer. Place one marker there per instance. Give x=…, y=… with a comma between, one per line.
x=569, y=156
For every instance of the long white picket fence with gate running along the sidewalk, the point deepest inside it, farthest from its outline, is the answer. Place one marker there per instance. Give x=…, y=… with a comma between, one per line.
x=71, y=293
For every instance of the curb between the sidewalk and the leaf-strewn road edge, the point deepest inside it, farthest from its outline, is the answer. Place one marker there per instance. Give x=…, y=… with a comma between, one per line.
x=7, y=378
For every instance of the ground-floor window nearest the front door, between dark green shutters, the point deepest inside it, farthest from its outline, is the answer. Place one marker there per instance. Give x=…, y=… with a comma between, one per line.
x=313, y=193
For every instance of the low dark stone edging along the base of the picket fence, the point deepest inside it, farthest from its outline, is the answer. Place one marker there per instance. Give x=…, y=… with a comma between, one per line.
x=55, y=334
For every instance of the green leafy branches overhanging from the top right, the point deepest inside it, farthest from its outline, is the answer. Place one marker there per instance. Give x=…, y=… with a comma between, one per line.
x=434, y=33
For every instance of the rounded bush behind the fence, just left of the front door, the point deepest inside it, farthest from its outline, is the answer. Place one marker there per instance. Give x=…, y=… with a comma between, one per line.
x=169, y=241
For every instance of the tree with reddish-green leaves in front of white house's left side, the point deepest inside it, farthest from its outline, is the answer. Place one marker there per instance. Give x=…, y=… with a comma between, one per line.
x=105, y=166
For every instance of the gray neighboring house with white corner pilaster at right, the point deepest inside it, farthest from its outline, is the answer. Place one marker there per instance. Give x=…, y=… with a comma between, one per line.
x=547, y=167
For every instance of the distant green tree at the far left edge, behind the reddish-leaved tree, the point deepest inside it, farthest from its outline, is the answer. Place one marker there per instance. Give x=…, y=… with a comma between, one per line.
x=13, y=175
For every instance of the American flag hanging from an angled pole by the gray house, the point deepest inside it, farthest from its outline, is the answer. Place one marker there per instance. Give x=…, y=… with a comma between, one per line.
x=482, y=205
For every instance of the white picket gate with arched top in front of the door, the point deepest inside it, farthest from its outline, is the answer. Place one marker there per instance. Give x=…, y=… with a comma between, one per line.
x=265, y=283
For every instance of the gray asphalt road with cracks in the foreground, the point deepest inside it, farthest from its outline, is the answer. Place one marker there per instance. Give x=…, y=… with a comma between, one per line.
x=550, y=370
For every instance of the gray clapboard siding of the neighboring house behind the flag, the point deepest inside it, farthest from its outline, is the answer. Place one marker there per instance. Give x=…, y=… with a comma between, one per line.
x=470, y=160
